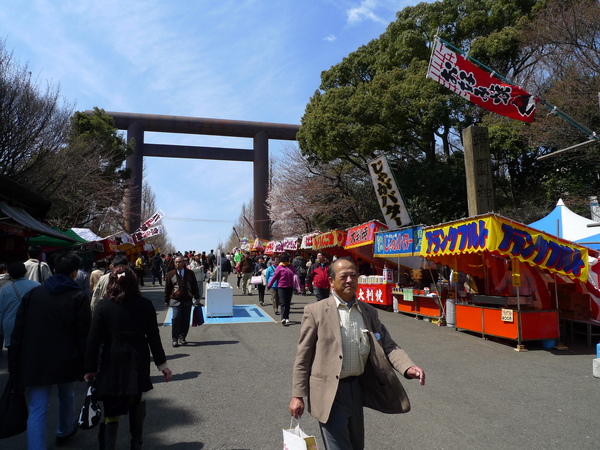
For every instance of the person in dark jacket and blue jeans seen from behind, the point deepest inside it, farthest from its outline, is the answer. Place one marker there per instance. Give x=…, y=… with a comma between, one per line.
x=48, y=347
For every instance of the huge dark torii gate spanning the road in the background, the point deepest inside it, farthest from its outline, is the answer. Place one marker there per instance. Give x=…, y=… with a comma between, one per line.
x=260, y=132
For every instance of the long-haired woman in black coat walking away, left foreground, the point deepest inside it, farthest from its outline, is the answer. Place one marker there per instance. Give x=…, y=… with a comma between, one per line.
x=124, y=325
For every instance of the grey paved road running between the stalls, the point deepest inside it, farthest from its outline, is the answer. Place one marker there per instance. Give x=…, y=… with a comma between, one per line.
x=231, y=389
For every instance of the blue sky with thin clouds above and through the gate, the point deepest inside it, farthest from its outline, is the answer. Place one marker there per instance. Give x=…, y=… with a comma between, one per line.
x=255, y=60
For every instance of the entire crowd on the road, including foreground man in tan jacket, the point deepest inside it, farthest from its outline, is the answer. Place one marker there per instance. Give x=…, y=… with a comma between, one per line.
x=63, y=325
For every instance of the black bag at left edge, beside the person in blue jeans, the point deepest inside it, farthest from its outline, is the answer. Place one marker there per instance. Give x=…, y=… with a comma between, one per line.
x=13, y=410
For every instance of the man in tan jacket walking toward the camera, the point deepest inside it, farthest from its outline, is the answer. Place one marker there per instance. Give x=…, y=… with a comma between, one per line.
x=346, y=360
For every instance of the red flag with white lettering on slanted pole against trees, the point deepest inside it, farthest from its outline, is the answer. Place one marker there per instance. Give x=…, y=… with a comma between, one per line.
x=458, y=73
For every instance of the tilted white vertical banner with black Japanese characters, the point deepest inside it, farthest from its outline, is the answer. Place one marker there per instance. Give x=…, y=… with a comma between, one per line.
x=389, y=196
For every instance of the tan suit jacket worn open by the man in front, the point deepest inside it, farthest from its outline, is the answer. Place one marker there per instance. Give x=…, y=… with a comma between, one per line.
x=319, y=357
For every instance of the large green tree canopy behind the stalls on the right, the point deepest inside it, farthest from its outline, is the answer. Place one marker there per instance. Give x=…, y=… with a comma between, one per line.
x=378, y=100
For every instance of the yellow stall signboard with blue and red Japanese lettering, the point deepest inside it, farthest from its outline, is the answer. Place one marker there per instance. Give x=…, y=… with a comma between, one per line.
x=507, y=238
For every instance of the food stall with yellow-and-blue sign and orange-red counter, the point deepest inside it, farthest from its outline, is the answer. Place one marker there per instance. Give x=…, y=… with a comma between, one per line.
x=512, y=266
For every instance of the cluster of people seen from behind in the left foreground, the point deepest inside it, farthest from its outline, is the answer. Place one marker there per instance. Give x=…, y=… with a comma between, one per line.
x=54, y=339
